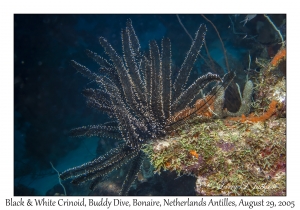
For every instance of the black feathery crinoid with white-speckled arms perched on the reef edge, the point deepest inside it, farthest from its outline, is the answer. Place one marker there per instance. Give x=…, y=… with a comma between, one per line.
x=138, y=92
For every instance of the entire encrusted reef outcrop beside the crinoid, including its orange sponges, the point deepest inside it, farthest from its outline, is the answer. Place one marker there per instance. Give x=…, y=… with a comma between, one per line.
x=237, y=155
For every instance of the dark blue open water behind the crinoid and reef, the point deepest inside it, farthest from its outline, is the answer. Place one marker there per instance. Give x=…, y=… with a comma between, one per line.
x=47, y=90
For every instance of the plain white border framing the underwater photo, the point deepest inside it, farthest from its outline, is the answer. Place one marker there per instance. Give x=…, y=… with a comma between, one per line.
x=8, y=8
